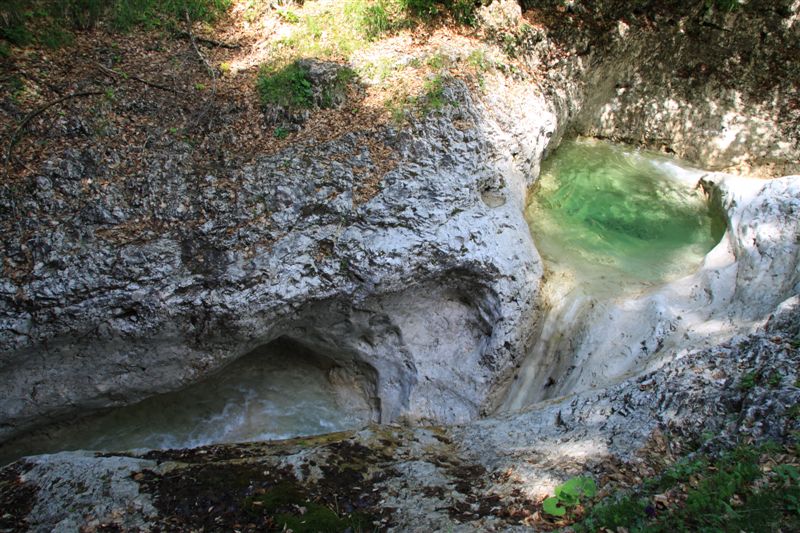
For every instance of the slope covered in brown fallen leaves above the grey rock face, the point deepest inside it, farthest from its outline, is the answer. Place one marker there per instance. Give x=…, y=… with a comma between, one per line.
x=124, y=94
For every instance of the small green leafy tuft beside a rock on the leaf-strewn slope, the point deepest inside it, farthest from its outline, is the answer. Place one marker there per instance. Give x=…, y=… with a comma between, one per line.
x=289, y=86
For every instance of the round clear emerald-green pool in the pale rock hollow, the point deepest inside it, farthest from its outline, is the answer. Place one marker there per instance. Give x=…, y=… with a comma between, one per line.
x=610, y=212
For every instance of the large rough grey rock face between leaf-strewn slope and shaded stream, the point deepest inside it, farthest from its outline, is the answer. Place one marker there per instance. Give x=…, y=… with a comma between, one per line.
x=428, y=284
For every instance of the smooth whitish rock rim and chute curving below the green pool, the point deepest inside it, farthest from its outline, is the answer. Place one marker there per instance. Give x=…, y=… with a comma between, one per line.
x=595, y=340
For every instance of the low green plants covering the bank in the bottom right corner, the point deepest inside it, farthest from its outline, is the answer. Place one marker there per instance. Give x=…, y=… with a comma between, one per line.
x=729, y=492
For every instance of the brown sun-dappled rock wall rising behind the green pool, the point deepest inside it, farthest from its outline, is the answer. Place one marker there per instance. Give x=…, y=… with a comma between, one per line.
x=710, y=85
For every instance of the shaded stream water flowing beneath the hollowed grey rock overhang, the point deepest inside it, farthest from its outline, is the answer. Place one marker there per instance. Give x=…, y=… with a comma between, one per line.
x=279, y=390
